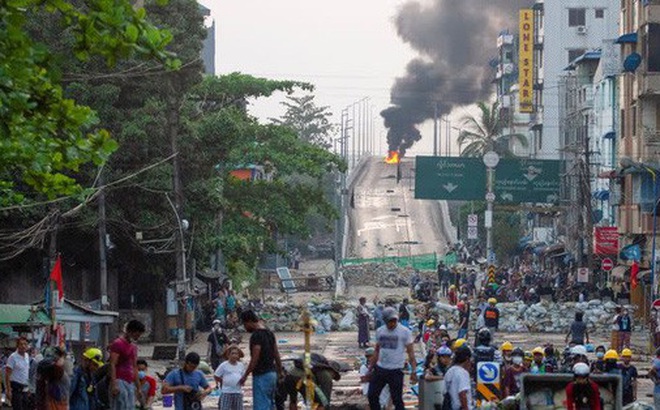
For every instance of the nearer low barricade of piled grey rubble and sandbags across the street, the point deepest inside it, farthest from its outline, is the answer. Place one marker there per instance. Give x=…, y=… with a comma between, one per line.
x=340, y=315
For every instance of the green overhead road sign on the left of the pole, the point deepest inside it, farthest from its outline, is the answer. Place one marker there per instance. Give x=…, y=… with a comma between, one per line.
x=450, y=178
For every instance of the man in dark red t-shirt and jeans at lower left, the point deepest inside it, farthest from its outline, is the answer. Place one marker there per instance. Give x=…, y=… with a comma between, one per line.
x=123, y=367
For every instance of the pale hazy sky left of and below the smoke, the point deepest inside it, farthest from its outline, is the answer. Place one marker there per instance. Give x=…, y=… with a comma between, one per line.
x=348, y=49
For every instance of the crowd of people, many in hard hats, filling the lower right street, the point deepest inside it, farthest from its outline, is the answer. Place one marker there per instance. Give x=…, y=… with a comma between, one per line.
x=452, y=361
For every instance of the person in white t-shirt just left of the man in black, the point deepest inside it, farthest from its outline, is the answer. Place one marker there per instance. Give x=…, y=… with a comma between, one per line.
x=227, y=376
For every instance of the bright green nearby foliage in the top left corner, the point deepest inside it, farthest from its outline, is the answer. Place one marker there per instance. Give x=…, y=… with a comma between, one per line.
x=46, y=137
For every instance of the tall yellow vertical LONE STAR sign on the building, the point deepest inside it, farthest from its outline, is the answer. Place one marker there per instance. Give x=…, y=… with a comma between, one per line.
x=526, y=61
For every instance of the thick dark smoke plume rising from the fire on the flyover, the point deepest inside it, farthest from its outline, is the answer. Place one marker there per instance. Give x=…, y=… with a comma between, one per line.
x=455, y=40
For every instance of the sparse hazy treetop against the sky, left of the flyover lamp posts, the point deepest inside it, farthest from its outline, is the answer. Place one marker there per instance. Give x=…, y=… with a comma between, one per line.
x=310, y=122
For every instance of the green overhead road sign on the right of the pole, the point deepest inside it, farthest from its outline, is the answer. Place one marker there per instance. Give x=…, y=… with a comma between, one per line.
x=527, y=180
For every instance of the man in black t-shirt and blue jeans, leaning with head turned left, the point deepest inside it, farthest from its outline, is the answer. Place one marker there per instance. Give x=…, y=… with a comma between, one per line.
x=265, y=363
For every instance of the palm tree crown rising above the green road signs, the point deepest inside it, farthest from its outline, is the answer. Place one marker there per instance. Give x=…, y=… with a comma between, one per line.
x=484, y=133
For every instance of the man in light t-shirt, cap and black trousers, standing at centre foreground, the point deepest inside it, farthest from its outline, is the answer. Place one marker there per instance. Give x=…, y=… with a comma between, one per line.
x=393, y=341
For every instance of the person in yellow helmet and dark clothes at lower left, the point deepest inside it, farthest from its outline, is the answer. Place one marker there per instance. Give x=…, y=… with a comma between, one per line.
x=81, y=394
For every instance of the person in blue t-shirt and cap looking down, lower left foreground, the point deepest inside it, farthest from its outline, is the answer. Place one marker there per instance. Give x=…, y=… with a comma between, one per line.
x=188, y=384
